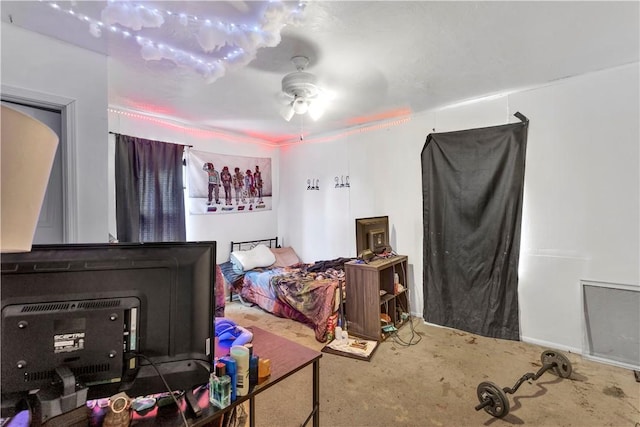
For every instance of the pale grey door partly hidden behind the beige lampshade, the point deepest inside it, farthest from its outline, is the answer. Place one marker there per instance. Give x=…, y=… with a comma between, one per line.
x=50, y=227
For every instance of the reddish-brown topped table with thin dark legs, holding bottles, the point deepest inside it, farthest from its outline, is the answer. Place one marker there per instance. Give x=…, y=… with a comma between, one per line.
x=287, y=358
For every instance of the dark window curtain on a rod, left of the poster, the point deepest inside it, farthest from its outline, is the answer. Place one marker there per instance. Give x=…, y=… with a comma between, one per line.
x=149, y=190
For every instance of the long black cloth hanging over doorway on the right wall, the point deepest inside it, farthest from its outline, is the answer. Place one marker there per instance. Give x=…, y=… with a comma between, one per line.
x=472, y=206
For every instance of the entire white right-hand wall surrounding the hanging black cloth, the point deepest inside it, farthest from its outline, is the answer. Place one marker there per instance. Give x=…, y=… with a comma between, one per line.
x=581, y=204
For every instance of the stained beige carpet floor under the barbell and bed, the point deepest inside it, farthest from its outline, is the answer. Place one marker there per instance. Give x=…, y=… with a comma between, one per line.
x=434, y=382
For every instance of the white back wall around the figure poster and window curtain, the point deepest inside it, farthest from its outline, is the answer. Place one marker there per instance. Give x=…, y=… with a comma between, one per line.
x=221, y=228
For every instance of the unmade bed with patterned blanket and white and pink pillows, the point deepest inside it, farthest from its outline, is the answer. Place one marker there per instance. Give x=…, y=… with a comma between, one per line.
x=278, y=282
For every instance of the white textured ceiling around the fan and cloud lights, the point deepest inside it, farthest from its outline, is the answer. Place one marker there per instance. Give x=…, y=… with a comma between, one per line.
x=382, y=59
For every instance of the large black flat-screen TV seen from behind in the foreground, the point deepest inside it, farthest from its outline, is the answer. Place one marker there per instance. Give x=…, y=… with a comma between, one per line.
x=106, y=314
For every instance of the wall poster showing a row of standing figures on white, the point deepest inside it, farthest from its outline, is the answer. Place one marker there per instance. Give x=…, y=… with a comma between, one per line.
x=221, y=184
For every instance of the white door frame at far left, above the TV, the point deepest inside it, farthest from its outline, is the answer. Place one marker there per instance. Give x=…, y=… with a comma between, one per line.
x=68, y=146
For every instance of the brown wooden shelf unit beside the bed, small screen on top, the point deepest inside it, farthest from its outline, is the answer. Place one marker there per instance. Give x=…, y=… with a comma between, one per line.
x=364, y=304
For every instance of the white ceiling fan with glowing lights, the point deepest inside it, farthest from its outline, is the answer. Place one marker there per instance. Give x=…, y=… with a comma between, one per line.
x=302, y=93
